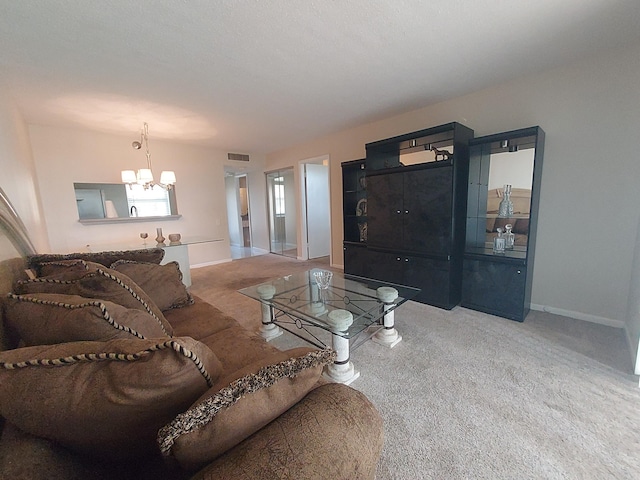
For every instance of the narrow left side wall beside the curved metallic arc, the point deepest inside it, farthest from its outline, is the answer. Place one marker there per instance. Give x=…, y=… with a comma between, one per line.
x=17, y=171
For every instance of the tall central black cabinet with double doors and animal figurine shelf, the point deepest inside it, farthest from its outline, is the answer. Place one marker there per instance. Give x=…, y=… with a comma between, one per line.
x=416, y=196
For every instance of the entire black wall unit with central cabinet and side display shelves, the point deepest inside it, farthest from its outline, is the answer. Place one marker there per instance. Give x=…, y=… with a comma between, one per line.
x=424, y=209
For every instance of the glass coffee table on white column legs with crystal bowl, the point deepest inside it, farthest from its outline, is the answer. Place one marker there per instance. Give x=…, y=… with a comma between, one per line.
x=348, y=307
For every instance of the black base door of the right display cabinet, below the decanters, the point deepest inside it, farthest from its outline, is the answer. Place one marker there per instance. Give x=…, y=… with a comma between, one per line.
x=494, y=287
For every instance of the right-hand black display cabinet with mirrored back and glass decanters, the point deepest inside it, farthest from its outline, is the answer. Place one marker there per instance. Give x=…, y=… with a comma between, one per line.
x=503, y=192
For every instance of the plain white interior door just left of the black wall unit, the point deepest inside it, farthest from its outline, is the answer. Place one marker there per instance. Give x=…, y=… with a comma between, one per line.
x=318, y=213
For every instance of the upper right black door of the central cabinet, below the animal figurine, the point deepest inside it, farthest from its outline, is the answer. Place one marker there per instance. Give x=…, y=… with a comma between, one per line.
x=428, y=197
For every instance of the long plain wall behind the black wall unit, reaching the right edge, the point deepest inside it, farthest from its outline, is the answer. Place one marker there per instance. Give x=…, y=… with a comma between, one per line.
x=590, y=112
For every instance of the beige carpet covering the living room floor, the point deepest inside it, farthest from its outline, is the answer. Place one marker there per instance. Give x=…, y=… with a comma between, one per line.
x=469, y=395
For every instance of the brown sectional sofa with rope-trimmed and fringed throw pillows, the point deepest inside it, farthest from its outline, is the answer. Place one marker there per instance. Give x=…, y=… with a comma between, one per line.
x=219, y=400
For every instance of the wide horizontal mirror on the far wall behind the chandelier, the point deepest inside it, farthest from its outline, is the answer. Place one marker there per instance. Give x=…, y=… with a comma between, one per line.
x=98, y=201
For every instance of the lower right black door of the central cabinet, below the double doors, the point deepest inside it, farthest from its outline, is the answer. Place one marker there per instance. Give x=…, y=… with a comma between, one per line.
x=432, y=277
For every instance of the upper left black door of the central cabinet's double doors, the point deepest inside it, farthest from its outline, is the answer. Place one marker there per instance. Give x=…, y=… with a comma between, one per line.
x=385, y=210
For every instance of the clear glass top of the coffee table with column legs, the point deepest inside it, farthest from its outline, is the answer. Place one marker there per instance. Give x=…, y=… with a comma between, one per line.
x=298, y=296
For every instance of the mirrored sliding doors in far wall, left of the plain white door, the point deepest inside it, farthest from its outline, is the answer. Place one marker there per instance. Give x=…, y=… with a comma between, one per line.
x=282, y=212
